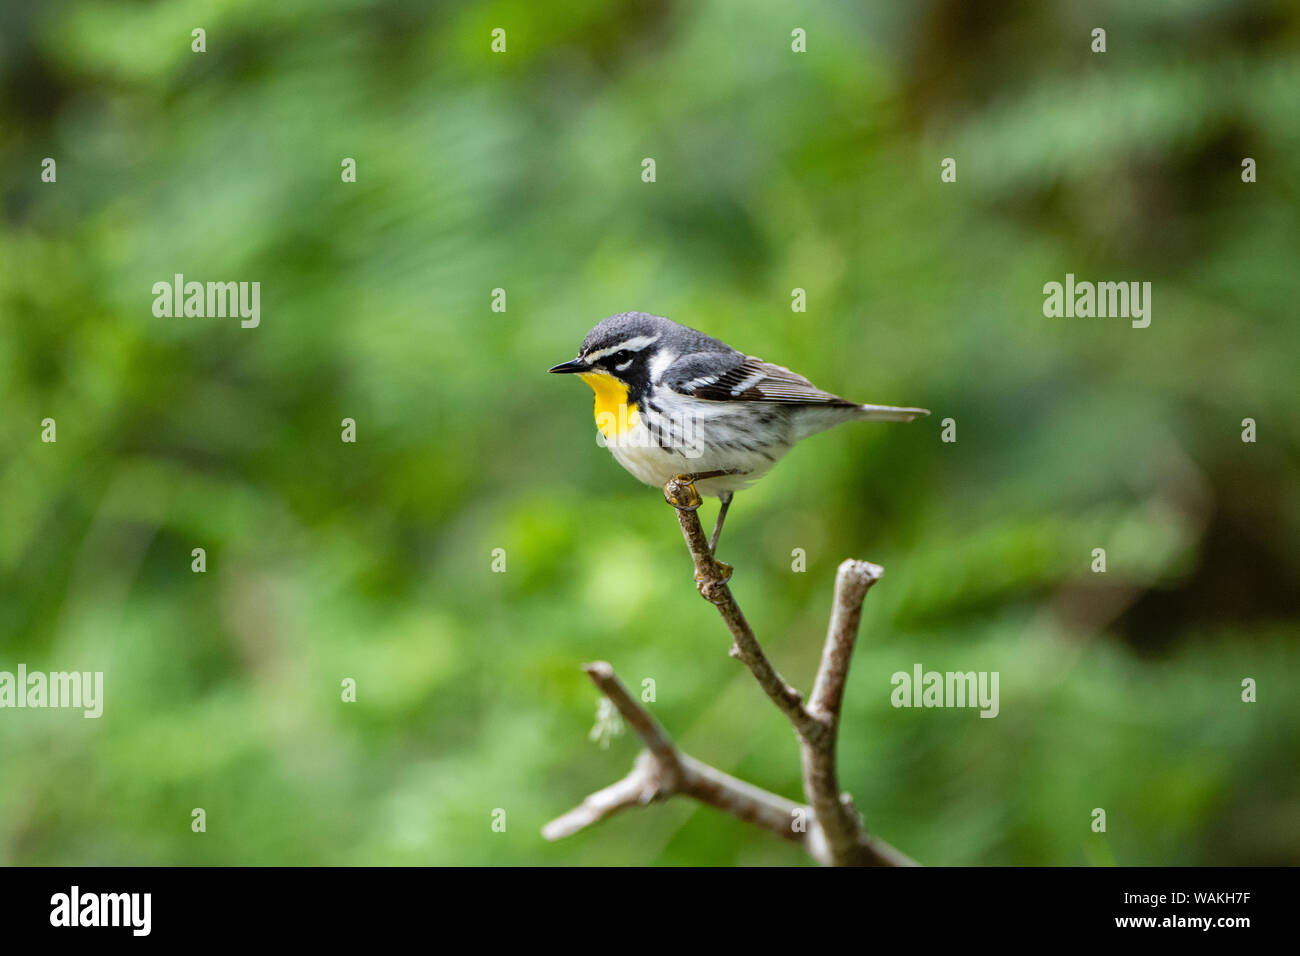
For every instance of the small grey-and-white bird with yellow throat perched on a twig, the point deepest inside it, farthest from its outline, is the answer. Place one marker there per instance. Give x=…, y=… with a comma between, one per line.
x=673, y=401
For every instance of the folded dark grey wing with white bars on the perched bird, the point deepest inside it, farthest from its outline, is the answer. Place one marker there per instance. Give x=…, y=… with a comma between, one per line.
x=738, y=378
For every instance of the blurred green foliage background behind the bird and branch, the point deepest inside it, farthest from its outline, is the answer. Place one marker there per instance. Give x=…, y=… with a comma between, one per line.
x=523, y=171
